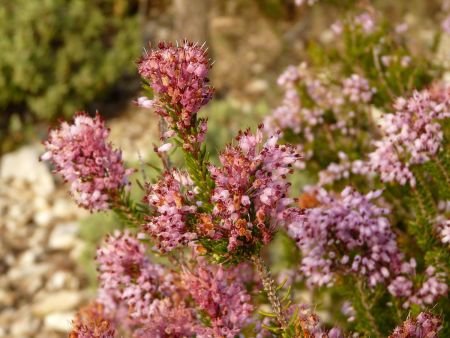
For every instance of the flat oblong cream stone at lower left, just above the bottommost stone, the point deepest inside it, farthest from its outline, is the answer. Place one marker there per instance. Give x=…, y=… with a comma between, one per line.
x=60, y=301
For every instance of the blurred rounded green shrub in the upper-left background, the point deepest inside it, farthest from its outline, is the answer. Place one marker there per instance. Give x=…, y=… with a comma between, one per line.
x=59, y=55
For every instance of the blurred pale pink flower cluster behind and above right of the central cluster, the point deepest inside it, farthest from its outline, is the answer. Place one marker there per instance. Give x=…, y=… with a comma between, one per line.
x=307, y=97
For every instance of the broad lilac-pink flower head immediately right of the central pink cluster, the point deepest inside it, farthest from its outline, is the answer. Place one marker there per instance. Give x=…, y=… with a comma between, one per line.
x=345, y=234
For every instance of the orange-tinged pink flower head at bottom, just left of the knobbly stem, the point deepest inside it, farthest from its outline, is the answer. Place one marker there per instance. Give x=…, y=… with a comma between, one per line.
x=221, y=294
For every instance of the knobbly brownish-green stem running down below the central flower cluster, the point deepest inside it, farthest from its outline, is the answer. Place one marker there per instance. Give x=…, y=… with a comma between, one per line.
x=271, y=291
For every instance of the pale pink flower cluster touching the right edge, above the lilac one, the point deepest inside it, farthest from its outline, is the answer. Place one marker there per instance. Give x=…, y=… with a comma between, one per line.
x=412, y=134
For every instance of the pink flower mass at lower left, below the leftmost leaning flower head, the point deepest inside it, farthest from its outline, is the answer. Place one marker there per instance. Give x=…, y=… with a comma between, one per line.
x=139, y=293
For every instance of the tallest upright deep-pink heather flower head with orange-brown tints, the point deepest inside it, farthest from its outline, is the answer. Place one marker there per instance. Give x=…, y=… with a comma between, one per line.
x=178, y=75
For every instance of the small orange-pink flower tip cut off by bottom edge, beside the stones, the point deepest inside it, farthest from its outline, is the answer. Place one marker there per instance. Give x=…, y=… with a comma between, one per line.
x=92, y=322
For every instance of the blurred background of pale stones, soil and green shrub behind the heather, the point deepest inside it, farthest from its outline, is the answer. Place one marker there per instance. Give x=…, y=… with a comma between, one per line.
x=62, y=56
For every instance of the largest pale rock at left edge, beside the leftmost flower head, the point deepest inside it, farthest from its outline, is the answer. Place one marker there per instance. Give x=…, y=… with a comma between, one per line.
x=24, y=164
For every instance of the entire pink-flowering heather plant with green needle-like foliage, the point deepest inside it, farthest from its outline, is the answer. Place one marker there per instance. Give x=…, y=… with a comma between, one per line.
x=366, y=125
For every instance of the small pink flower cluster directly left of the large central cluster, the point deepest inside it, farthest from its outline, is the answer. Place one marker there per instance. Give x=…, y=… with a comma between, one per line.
x=169, y=224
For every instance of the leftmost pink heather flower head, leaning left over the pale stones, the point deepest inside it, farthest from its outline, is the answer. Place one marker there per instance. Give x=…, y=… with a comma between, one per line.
x=84, y=158
